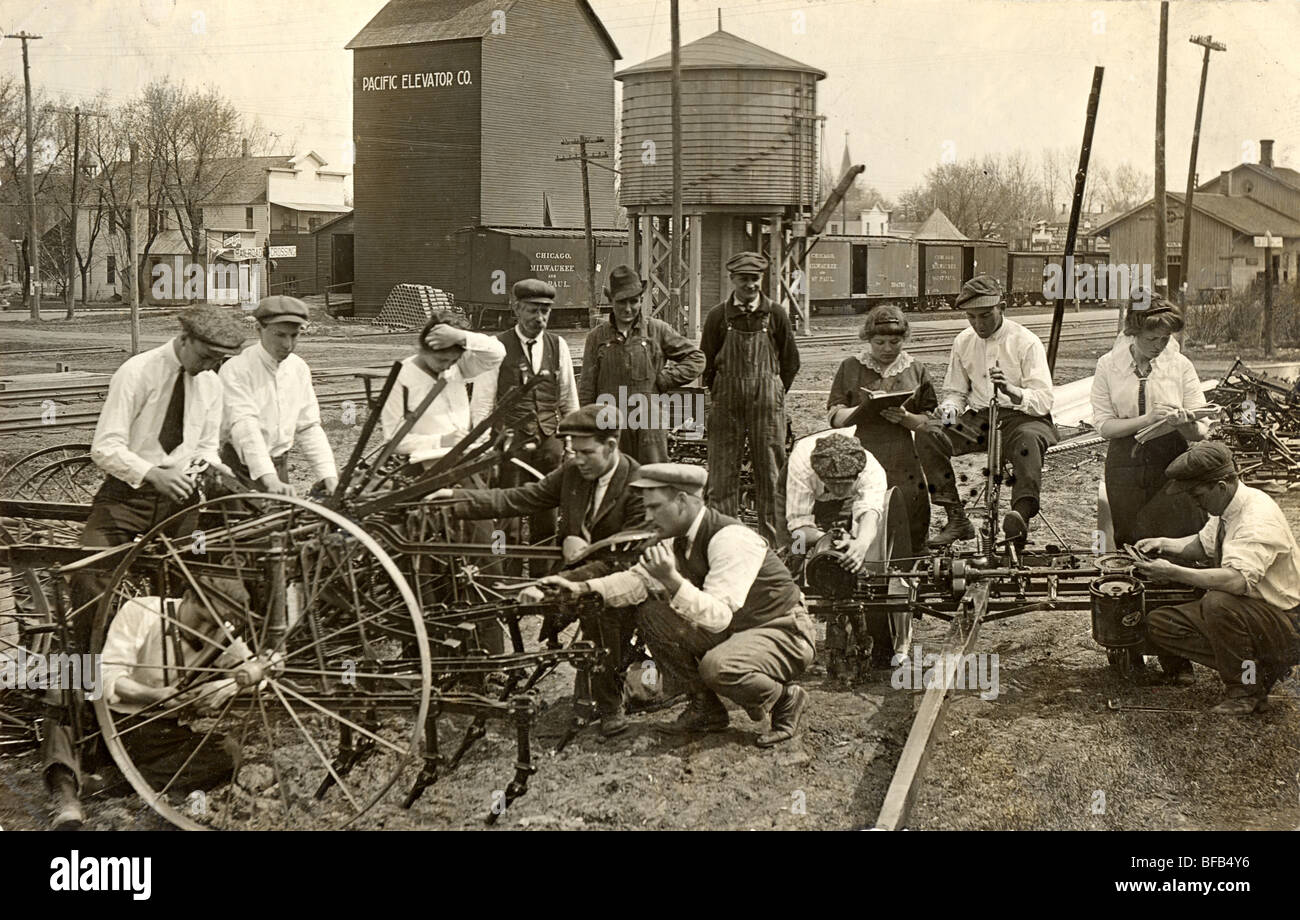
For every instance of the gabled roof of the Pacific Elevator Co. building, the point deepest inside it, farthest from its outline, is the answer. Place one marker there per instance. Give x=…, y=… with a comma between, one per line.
x=419, y=21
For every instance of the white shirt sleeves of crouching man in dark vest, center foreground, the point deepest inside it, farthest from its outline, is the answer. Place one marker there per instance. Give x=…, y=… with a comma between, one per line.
x=735, y=557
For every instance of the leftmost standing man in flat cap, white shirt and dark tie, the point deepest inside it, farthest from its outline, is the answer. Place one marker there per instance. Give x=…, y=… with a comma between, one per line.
x=162, y=420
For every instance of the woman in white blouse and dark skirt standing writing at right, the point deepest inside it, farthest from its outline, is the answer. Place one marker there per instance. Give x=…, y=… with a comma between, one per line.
x=1138, y=384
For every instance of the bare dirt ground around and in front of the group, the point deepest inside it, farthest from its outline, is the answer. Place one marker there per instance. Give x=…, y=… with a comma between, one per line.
x=1045, y=754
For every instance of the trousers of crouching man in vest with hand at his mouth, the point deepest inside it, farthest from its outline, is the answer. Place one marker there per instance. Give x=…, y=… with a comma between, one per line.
x=751, y=667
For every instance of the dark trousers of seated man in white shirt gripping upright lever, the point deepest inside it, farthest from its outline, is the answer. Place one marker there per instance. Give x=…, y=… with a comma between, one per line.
x=1025, y=441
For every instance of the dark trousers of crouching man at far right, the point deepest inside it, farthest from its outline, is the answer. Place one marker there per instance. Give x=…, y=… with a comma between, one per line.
x=1225, y=632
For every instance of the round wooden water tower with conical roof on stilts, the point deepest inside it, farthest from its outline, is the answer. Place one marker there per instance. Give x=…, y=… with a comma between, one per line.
x=749, y=167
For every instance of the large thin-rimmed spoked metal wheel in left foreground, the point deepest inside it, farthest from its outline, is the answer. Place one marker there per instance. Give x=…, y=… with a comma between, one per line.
x=297, y=709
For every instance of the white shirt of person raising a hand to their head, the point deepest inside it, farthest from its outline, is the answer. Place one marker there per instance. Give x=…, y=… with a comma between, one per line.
x=448, y=419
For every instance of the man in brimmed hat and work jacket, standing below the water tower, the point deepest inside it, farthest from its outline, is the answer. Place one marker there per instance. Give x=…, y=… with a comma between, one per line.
x=630, y=361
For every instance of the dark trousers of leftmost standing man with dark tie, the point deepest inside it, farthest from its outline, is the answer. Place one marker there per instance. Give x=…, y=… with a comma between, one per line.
x=119, y=515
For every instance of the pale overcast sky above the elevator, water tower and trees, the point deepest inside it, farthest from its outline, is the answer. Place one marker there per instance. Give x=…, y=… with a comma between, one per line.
x=909, y=80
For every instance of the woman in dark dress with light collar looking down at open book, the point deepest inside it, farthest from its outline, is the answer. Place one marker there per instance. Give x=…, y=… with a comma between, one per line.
x=883, y=366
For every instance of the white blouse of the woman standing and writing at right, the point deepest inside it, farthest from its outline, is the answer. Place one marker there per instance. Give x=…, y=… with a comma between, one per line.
x=1173, y=381
